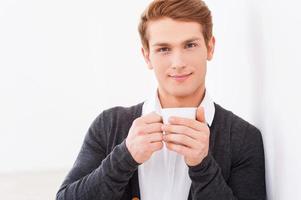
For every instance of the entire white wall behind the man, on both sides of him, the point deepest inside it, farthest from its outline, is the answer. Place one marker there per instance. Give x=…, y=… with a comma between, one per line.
x=63, y=62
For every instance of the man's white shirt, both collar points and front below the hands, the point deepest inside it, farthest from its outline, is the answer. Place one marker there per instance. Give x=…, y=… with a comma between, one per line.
x=165, y=175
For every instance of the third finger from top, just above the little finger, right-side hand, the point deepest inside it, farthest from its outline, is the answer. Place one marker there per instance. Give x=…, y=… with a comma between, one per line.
x=181, y=140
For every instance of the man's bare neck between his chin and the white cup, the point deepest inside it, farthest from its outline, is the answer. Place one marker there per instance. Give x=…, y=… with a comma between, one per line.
x=192, y=100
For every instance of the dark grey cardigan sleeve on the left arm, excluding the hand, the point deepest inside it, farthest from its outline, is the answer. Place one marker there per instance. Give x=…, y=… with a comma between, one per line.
x=94, y=174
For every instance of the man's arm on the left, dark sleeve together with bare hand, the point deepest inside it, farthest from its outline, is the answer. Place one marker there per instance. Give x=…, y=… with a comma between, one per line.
x=96, y=175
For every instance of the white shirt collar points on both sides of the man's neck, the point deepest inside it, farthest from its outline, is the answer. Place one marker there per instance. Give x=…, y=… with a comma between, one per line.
x=152, y=104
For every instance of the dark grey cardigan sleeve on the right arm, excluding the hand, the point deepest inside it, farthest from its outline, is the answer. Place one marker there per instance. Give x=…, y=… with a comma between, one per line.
x=247, y=176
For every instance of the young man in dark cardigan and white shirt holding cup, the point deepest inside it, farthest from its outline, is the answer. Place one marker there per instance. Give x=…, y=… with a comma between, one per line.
x=219, y=155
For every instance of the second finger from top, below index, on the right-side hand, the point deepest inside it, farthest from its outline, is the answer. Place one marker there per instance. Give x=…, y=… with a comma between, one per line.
x=179, y=129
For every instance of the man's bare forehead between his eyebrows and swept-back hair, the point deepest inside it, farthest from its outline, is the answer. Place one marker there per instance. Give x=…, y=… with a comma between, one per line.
x=172, y=31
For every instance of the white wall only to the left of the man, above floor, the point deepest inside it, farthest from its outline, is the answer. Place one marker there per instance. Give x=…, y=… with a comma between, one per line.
x=62, y=62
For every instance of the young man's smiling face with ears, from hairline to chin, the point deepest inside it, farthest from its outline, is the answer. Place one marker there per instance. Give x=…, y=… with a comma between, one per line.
x=178, y=55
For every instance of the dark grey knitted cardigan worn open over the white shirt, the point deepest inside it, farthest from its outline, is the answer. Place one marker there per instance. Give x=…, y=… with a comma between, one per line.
x=105, y=170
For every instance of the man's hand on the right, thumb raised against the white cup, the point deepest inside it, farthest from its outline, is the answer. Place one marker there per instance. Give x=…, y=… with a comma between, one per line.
x=188, y=137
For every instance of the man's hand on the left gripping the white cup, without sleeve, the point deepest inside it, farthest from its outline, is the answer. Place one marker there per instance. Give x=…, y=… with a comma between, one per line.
x=145, y=137
